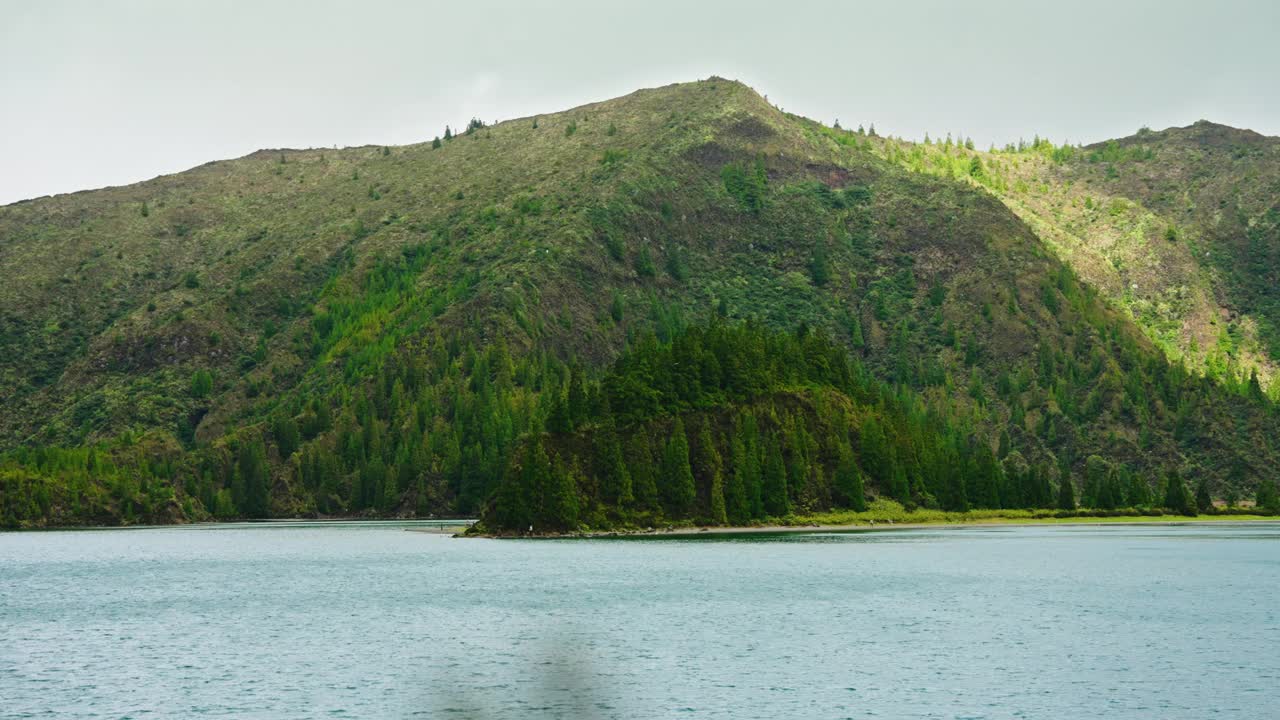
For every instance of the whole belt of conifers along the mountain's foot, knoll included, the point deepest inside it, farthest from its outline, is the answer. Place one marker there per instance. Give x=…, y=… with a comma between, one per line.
x=717, y=423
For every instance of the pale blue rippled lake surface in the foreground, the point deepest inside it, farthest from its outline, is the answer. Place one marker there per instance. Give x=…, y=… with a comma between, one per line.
x=369, y=621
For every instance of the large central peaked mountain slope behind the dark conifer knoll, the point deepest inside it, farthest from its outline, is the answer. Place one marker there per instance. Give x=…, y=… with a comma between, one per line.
x=376, y=330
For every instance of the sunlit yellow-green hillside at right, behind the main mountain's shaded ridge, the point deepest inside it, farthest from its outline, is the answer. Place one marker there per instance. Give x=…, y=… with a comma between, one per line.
x=1181, y=229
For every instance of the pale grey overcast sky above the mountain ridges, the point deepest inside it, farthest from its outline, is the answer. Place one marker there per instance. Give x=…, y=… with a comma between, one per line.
x=111, y=93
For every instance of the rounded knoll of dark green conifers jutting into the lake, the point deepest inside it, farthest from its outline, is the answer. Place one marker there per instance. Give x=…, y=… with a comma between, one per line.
x=735, y=423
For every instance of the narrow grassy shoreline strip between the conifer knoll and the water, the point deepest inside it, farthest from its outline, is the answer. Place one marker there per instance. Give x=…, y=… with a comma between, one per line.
x=711, y=531
